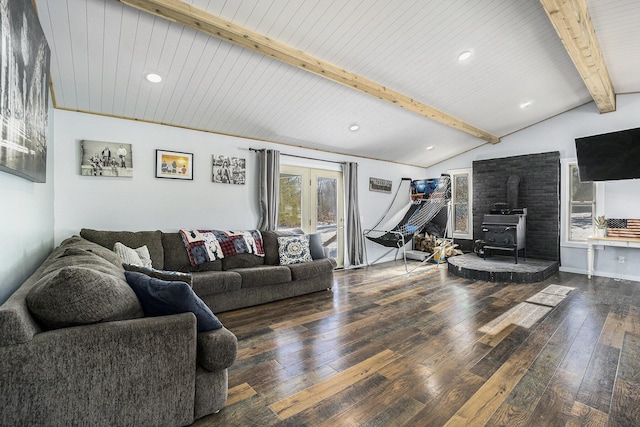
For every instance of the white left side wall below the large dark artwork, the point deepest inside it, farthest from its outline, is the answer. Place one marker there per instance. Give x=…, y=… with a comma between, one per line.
x=26, y=223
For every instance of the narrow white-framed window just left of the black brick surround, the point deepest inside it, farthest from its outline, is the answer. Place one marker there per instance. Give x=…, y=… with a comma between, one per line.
x=461, y=203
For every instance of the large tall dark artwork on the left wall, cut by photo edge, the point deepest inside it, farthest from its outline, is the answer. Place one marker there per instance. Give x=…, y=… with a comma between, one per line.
x=24, y=98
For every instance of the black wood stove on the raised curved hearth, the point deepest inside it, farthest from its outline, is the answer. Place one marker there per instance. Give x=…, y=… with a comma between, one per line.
x=505, y=230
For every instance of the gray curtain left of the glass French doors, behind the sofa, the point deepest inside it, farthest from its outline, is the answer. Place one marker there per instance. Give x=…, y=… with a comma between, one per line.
x=269, y=161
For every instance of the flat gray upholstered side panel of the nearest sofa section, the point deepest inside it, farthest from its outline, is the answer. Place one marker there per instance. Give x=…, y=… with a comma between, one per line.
x=128, y=372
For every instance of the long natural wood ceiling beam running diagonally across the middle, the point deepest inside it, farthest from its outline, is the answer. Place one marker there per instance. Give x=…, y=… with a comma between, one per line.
x=215, y=26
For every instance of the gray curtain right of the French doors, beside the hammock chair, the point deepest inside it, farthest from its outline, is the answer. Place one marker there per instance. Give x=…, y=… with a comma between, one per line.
x=355, y=242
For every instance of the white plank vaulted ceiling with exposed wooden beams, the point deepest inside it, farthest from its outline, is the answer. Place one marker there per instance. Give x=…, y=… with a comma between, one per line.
x=301, y=72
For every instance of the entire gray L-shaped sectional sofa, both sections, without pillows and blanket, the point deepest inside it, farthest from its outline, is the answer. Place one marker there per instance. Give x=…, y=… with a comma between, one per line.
x=76, y=349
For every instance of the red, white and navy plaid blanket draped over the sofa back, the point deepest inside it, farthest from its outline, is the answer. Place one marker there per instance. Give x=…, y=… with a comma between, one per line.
x=210, y=245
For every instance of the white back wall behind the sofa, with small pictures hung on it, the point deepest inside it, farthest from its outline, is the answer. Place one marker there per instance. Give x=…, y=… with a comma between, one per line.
x=147, y=203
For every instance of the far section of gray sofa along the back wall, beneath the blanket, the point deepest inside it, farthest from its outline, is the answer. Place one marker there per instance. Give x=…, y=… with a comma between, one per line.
x=239, y=281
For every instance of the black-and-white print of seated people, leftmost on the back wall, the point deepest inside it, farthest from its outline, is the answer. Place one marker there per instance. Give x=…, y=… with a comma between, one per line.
x=99, y=158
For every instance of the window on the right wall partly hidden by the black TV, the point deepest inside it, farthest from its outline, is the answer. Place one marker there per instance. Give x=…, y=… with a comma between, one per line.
x=582, y=206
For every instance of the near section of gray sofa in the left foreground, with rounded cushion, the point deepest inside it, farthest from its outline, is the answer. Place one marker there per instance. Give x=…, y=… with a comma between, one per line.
x=76, y=349
